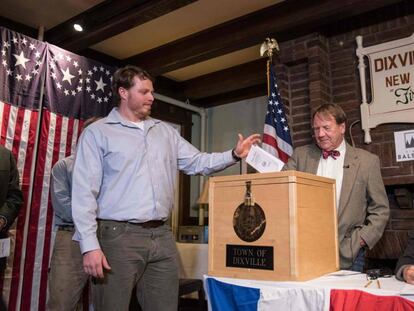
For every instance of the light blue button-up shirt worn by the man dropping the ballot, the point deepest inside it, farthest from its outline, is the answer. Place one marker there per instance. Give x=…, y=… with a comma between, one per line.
x=124, y=173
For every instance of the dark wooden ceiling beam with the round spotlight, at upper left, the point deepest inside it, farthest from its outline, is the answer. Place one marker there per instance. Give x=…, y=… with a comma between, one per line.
x=108, y=19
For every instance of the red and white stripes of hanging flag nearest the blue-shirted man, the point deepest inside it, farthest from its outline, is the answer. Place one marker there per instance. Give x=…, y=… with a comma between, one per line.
x=58, y=137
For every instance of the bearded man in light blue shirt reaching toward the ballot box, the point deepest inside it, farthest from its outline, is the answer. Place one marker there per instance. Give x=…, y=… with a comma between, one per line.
x=122, y=194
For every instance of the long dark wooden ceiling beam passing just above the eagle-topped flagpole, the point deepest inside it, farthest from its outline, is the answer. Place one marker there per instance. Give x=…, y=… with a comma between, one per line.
x=283, y=21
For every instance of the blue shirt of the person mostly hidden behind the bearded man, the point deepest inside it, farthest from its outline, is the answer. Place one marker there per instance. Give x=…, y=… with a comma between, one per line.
x=61, y=184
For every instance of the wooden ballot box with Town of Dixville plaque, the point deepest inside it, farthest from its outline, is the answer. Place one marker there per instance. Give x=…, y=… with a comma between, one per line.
x=272, y=226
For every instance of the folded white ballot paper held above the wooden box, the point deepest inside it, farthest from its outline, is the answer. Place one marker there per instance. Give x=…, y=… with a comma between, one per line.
x=263, y=161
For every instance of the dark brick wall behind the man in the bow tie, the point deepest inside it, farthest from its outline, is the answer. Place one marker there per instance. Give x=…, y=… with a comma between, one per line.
x=321, y=68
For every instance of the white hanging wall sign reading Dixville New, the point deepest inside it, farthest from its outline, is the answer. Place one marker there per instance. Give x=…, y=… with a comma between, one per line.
x=391, y=67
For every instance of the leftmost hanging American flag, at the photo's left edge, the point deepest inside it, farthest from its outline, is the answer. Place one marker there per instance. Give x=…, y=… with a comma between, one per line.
x=21, y=74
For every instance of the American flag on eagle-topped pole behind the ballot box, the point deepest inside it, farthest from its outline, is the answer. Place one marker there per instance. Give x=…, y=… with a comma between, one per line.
x=276, y=132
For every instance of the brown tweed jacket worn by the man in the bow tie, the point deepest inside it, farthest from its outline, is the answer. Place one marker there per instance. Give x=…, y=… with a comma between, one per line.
x=363, y=208
